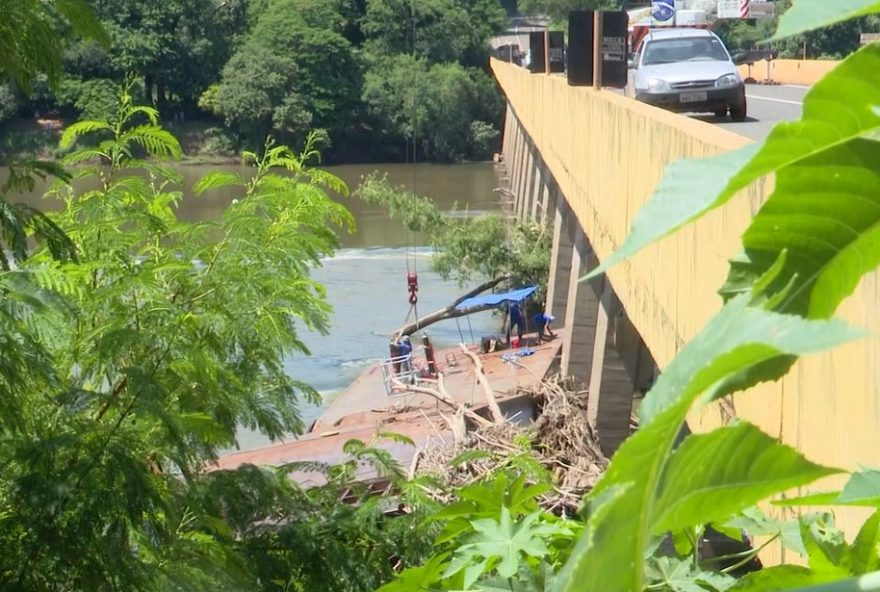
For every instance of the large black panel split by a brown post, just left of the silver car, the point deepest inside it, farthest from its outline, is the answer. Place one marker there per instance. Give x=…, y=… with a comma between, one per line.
x=614, y=48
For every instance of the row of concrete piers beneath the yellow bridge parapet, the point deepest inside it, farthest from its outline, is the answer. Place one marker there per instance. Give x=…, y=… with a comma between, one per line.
x=602, y=348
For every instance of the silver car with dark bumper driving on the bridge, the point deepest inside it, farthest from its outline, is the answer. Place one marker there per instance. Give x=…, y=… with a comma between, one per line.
x=687, y=70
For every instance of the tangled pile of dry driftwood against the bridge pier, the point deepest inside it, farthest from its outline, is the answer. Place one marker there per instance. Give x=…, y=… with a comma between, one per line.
x=560, y=440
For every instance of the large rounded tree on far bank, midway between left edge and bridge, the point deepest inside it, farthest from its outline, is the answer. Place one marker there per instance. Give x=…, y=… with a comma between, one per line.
x=294, y=72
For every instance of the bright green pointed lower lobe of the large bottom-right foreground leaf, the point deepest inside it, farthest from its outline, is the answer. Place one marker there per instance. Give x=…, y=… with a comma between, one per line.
x=713, y=476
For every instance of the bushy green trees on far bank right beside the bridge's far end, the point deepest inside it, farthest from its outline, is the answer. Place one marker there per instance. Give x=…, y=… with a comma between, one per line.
x=426, y=83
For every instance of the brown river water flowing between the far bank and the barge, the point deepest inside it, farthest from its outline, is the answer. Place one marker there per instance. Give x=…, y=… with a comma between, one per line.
x=366, y=280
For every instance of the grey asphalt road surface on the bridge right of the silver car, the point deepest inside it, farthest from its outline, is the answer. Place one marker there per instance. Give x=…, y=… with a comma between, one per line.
x=767, y=105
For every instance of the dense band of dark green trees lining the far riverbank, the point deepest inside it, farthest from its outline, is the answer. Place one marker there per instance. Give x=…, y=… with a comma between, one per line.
x=378, y=78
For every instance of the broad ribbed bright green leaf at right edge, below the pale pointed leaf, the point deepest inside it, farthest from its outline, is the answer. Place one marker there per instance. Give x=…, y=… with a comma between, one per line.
x=826, y=212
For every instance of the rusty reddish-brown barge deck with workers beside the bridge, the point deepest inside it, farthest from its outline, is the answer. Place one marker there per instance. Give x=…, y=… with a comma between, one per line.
x=365, y=410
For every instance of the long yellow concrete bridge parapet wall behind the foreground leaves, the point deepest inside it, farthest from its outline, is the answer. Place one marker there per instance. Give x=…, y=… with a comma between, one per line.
x=607, y=153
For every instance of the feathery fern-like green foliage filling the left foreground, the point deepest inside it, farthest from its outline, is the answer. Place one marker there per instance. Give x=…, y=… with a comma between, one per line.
x=125, y=370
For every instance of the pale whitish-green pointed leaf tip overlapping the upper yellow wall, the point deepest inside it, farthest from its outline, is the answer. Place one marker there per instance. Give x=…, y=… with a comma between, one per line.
x=689, y=189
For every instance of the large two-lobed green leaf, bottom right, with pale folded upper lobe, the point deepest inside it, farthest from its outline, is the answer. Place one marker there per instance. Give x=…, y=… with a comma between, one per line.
x=645, y=490
